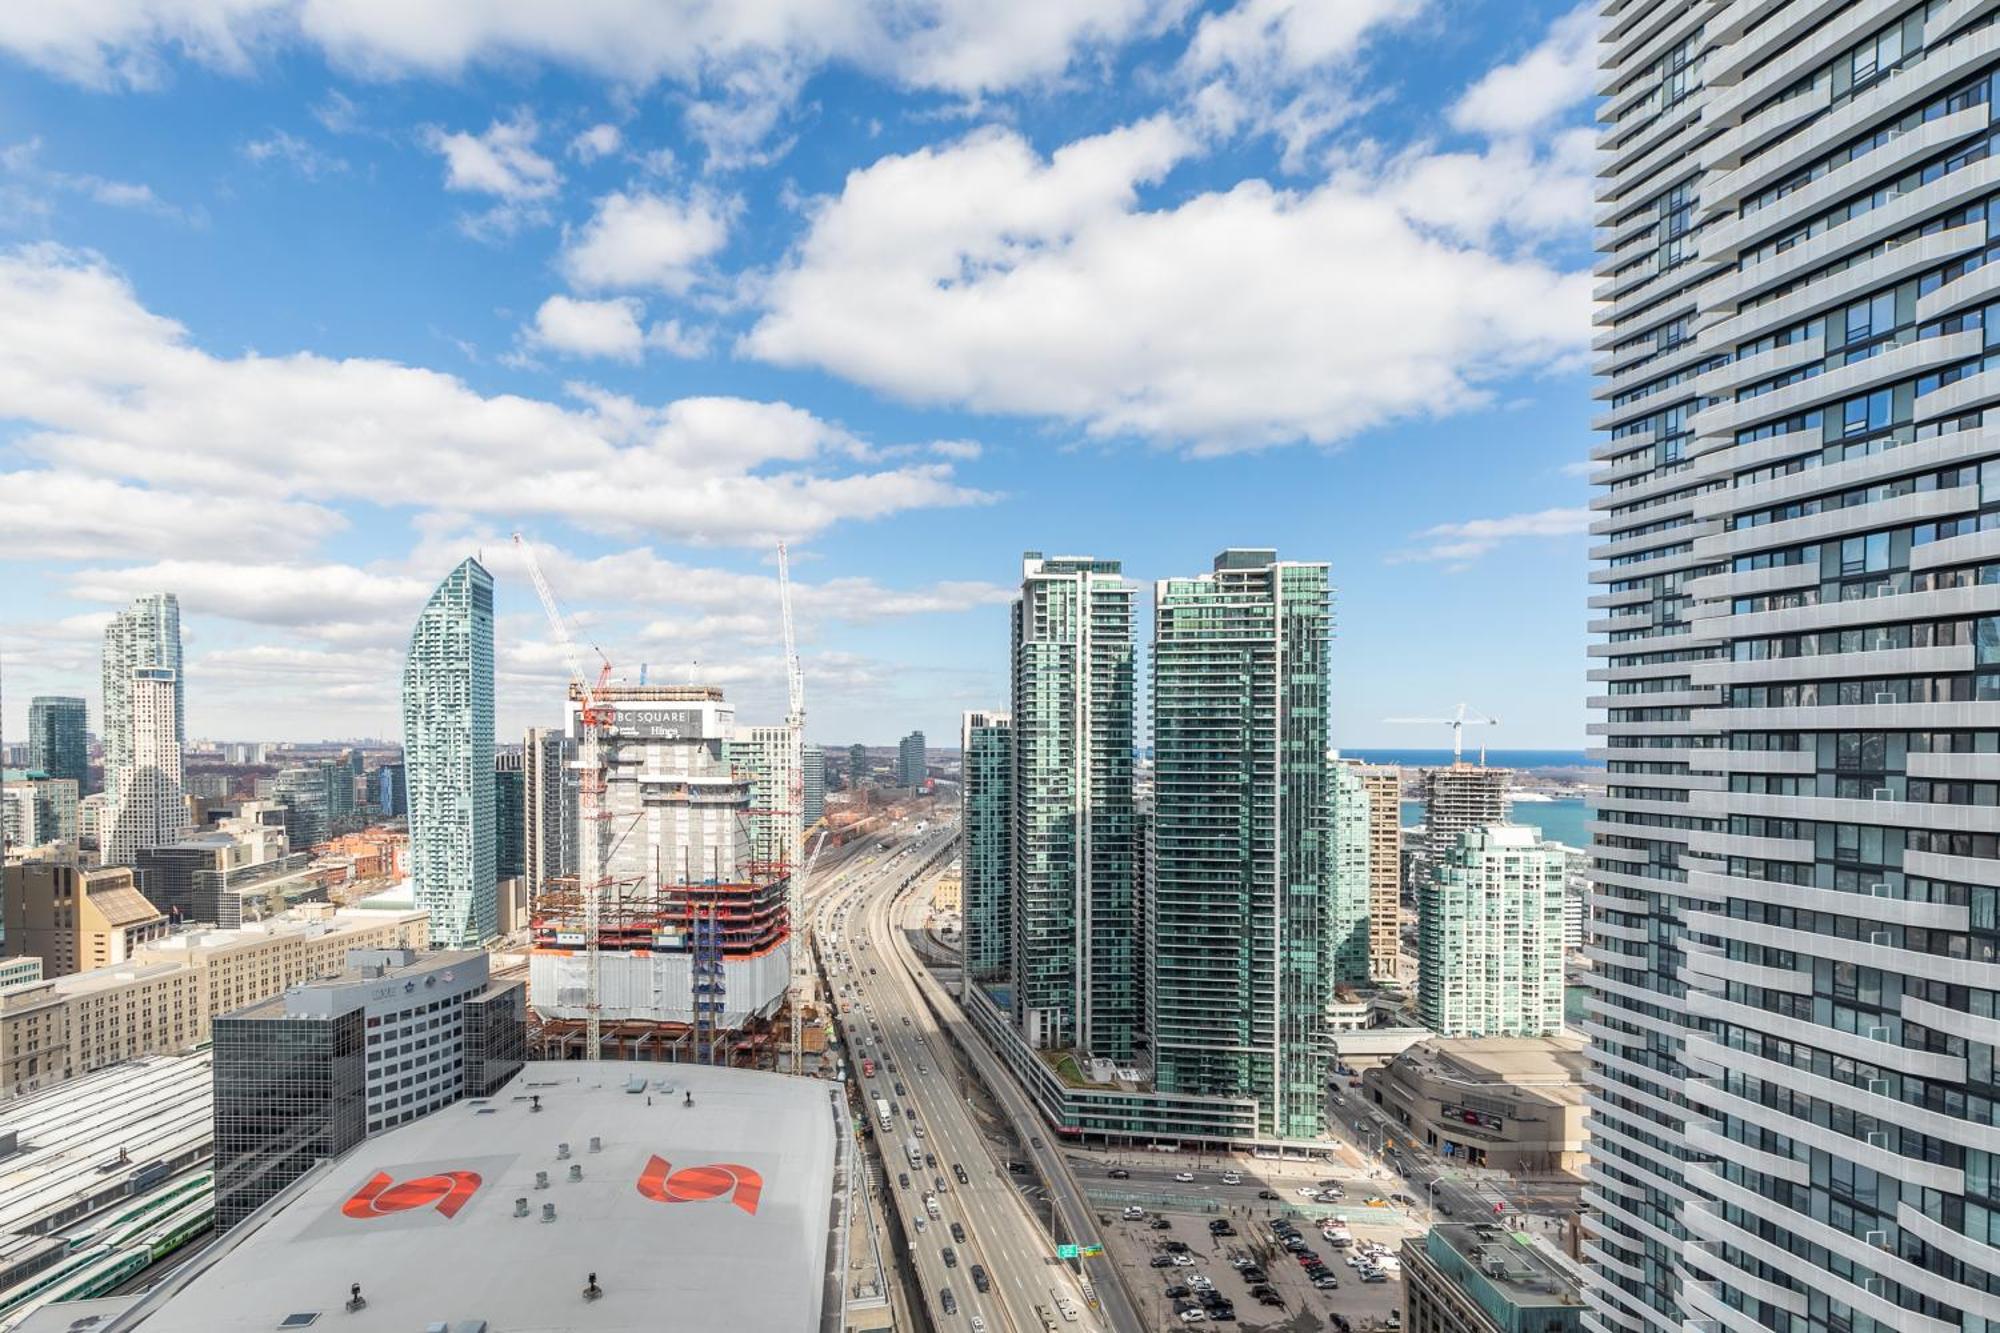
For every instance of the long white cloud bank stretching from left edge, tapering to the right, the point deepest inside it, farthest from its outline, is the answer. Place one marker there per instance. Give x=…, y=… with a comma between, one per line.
x=103, y=387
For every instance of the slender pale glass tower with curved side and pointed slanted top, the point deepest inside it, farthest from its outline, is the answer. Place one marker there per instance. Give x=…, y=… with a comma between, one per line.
x=449, y=758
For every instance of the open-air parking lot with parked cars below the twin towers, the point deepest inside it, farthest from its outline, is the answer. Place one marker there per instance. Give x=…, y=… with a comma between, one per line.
x=1149, y=1256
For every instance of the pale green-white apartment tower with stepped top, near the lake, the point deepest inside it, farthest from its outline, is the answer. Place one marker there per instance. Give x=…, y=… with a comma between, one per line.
x=1489, y=930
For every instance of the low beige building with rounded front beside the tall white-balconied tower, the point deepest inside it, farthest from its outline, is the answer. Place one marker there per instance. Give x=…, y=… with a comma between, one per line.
x=1511, y=1104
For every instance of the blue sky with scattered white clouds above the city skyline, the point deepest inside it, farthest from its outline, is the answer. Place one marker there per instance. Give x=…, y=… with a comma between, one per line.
x=305, y=301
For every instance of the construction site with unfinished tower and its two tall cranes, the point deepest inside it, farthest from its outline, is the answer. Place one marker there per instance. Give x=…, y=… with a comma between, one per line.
x=675, y=938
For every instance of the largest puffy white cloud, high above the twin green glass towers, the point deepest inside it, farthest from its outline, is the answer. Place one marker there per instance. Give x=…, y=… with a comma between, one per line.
x=989, y=277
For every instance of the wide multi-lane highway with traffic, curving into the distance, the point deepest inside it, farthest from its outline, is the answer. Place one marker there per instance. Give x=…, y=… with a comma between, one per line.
x=891, y=1026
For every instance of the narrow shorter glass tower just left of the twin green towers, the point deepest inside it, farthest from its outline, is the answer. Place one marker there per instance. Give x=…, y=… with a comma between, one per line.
x=985, y=824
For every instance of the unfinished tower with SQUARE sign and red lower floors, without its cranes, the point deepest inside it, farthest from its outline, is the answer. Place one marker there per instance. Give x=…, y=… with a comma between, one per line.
x=693, y=920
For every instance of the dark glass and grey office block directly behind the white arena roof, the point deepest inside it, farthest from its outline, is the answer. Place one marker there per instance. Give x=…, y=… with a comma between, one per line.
x=309, y=1074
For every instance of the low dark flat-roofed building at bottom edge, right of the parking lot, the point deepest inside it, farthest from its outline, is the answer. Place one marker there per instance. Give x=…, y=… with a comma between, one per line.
x=1485, y=1280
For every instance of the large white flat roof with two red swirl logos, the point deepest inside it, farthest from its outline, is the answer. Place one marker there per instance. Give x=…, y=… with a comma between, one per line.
x=715, y=1216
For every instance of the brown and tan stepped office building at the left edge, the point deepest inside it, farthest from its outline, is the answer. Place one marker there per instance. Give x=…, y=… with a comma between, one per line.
x=73, y=918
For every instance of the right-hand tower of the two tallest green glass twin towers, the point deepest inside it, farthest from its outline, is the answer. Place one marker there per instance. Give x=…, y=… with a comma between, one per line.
x=1237, y=906
